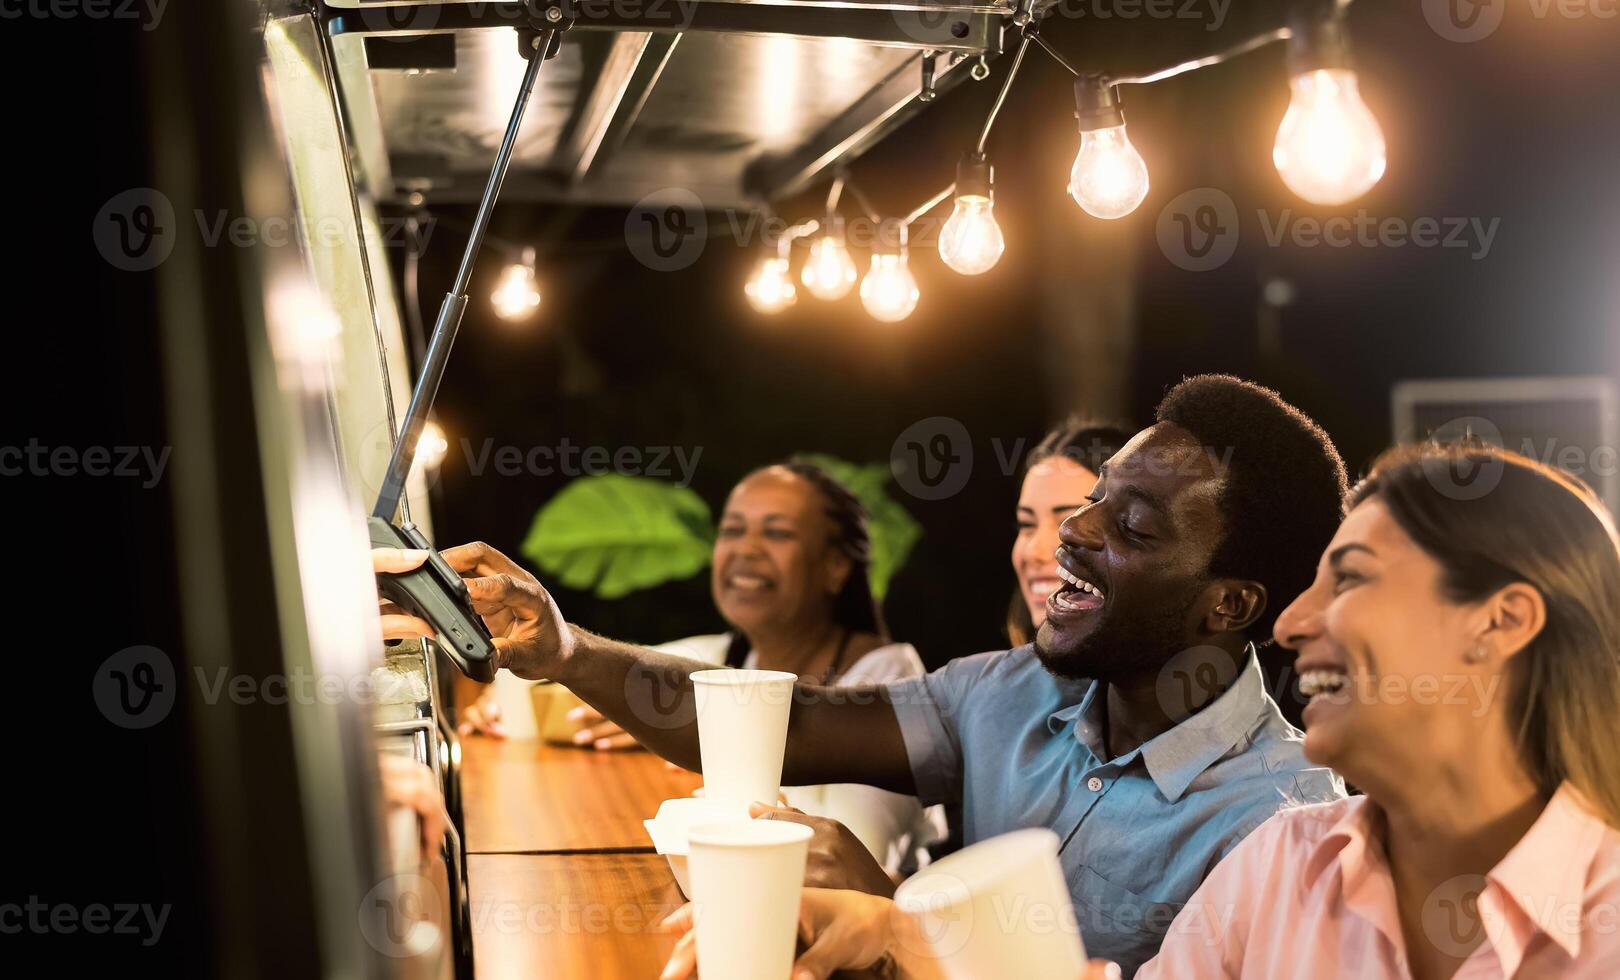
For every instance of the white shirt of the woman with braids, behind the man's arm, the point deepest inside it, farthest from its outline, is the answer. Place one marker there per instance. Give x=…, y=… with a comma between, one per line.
x=893, y=827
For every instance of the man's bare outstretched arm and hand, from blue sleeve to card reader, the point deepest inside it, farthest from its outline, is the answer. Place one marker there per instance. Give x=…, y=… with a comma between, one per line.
x=846, y=735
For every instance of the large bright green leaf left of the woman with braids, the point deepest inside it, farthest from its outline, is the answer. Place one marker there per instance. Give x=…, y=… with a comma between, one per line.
x=615, y=535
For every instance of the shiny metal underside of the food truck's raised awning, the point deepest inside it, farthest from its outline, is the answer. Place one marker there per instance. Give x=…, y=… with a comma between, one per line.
x=736, y=101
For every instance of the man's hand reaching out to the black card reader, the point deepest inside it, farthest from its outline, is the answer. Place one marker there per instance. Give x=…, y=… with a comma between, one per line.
x=531, y=636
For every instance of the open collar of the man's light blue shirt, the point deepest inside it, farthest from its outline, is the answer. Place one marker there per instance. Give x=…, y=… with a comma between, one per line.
x=1179, y=756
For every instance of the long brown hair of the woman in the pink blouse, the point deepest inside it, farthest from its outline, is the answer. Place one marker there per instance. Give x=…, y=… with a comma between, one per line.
x=1493, y=518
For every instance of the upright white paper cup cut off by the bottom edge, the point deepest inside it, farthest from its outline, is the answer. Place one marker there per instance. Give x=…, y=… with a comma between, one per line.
x=746, y=882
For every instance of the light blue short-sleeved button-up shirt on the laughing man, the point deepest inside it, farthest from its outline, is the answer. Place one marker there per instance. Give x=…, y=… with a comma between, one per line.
x=1017, y=749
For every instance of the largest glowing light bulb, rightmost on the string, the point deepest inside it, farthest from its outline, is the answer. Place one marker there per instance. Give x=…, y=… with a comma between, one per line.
x=1329, y=148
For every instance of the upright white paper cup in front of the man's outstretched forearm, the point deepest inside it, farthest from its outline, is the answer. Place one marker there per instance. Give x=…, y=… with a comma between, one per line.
x=743, y=731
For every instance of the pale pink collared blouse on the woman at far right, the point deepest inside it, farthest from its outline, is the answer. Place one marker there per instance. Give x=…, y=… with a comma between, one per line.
x=1310, y=895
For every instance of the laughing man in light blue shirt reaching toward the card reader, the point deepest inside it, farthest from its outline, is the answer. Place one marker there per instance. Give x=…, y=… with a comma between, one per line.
x=1136, y=726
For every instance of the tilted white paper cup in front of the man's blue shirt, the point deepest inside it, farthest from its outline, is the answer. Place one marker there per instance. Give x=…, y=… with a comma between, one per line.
x=995, y=910
